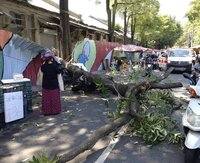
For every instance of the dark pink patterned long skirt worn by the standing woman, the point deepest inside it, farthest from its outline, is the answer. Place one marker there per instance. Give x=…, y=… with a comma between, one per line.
x=51, y=103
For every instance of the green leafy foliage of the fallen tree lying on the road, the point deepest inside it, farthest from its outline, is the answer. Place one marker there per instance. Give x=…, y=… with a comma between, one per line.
x=155, y=124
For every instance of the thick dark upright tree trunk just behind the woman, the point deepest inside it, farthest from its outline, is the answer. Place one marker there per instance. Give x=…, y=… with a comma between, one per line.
x=64, y=21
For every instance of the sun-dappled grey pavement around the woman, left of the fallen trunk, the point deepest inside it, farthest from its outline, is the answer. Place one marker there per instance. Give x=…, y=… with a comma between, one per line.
x=81, y=115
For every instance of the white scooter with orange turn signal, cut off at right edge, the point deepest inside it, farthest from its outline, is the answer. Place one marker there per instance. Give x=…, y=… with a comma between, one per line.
x=191, y=123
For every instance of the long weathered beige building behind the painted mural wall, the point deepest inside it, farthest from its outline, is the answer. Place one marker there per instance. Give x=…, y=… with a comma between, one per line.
x=43, y=26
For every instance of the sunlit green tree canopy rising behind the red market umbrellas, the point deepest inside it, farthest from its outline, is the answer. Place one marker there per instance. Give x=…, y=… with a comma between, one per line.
x=143, y=22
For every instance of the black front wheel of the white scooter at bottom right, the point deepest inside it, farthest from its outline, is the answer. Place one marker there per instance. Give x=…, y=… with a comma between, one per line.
x=190, y=155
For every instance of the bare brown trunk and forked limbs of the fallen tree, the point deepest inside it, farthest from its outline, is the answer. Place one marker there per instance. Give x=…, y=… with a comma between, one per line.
x=126, y=91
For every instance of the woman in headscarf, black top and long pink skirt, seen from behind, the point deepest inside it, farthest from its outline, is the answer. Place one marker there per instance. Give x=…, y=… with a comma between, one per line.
x=51, y=103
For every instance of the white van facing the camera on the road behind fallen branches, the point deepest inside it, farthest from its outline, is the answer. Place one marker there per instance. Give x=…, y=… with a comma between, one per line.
x=180, y=59
